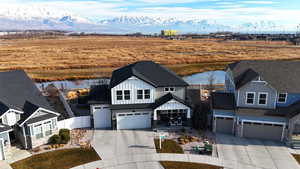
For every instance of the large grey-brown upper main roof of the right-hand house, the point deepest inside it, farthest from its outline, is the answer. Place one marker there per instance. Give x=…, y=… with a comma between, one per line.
x=282, y=75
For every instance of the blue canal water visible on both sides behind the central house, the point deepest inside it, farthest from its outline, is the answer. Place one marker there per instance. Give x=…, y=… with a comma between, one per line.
x=195, y=79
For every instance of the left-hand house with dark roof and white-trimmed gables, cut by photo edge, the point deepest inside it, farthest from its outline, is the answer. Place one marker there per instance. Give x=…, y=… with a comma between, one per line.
x=25, y=115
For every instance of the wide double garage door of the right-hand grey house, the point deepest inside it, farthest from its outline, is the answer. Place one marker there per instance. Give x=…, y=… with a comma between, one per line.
x=262, y=131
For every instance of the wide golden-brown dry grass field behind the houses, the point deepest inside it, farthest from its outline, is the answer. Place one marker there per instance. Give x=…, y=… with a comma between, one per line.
x=92, y=57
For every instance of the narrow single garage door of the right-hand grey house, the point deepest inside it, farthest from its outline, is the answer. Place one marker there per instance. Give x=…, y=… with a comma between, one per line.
x=224, y=125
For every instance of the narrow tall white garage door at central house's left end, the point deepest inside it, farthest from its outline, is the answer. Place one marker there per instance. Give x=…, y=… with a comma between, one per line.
x=102, y=117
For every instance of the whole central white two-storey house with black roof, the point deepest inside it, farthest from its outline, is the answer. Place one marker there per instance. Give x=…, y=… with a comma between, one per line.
x=141, y=95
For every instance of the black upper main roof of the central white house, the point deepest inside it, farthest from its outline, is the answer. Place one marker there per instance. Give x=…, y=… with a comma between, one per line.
x=148, y=71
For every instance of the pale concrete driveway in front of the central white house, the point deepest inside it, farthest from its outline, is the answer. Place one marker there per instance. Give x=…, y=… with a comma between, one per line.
x=110, y=144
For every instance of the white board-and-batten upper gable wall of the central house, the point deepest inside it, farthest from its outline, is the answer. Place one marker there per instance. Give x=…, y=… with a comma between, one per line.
x=133, y=84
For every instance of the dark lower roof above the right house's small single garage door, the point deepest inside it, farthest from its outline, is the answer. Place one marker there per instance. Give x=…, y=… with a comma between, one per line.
x=224, y=101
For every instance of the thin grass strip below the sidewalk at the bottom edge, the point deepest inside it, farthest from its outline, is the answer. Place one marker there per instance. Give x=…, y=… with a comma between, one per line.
x=186, y=165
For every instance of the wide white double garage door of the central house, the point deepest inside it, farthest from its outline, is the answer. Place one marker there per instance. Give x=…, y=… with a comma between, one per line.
x=134, y=120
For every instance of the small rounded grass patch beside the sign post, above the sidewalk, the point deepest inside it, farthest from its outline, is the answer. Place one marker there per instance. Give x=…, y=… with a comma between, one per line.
x=168, y=146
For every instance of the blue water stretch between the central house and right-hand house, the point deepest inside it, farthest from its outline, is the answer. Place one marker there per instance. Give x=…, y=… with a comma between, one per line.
x=202, y=78
